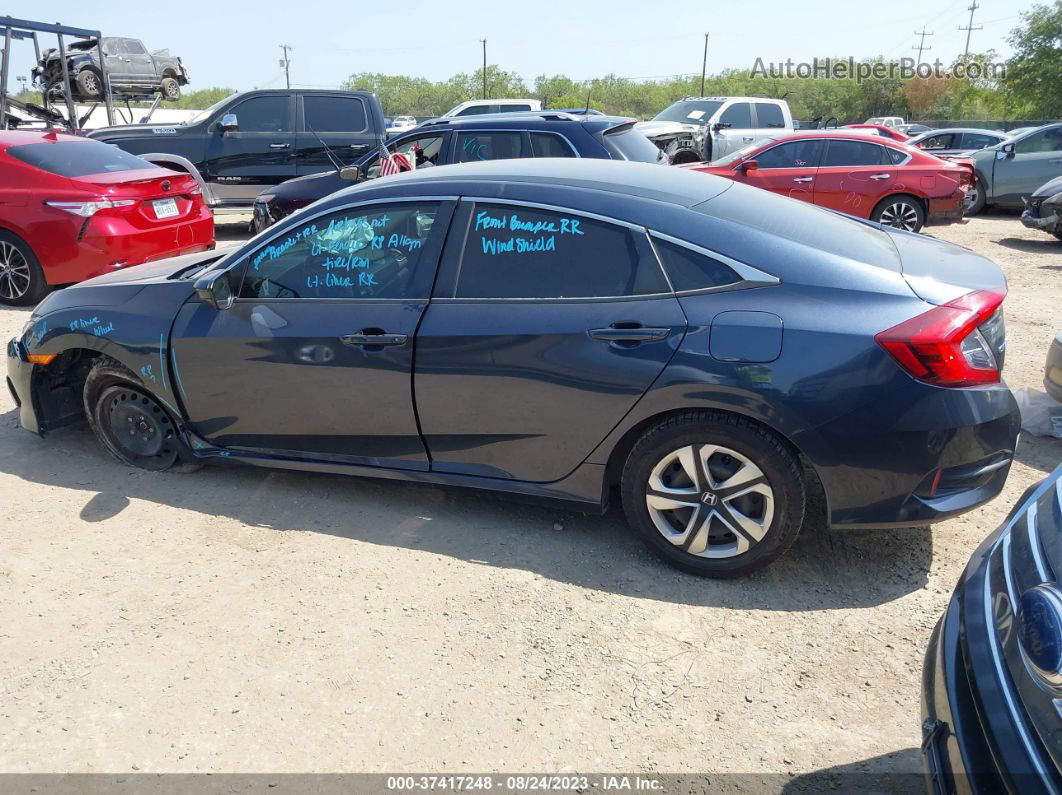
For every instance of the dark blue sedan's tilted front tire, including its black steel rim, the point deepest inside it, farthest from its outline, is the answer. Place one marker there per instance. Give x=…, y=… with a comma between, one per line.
x=130, y=423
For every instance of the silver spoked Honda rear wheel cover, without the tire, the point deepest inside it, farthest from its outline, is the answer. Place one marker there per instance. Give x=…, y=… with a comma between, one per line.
x=710, y=502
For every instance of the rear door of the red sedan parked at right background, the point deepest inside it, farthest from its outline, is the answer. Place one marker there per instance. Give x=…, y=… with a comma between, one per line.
x=854, y=177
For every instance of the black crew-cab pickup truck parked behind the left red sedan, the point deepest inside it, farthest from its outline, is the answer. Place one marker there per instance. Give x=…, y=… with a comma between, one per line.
x=247, y=143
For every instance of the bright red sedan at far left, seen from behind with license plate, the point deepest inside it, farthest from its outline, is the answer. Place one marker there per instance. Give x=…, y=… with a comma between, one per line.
x=73, y=209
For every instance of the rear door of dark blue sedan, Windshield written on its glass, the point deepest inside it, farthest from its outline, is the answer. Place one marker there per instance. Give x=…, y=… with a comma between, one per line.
x=545, y=329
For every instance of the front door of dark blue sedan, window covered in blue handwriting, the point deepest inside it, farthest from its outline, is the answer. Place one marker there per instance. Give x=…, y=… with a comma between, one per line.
x=315, y=358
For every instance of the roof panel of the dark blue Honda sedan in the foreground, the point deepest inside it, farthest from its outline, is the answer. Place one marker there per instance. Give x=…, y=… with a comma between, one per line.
x=646, y=181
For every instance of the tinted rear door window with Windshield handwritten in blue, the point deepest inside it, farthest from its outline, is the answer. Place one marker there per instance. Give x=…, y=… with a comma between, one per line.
x=527, y=253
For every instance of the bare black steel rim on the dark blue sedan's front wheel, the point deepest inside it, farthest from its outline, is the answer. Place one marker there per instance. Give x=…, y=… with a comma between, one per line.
x=136, y=428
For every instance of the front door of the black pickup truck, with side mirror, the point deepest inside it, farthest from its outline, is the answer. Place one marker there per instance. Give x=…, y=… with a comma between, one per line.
x=260, y=153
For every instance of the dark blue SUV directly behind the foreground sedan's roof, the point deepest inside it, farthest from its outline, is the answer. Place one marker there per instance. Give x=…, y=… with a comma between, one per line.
x=494, y=137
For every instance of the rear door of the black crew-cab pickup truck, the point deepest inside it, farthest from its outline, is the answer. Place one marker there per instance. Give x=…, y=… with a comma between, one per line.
x=332, y=122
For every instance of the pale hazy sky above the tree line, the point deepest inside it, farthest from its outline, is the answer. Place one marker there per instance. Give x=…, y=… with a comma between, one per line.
x=236, y=45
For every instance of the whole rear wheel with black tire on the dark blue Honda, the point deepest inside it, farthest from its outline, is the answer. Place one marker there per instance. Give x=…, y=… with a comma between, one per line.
x=781, y=511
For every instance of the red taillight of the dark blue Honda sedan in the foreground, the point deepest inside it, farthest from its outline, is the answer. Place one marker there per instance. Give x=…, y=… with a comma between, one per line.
x=958, y=344
